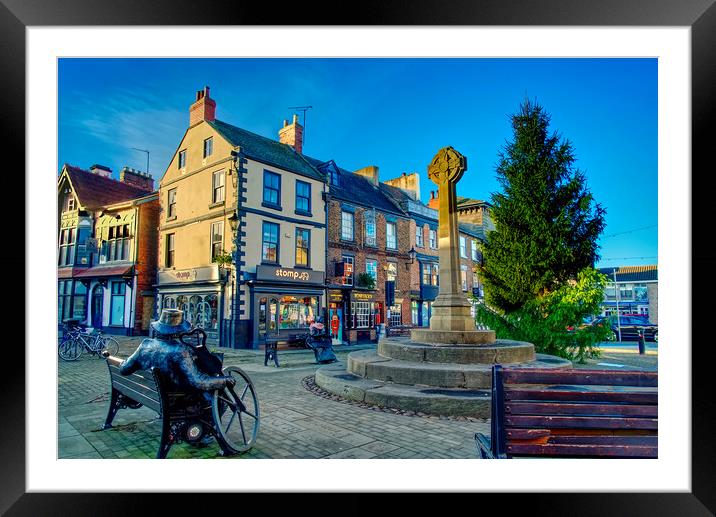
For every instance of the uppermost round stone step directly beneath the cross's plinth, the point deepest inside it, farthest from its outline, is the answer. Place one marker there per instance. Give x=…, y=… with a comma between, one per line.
x=502, y=351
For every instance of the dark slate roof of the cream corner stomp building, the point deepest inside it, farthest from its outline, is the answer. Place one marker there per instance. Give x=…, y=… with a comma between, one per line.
x=265, y=150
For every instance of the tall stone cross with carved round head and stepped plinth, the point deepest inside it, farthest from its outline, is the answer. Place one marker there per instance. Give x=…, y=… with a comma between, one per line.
x=451, y=322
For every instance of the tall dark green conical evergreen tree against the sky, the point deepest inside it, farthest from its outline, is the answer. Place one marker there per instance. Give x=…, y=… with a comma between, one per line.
x=546, y=219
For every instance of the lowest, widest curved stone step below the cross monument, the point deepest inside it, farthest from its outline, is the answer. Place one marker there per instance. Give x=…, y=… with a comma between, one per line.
x=431, y=400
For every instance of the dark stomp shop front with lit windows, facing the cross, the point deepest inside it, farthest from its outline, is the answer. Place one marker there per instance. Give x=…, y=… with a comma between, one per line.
x=284, y=302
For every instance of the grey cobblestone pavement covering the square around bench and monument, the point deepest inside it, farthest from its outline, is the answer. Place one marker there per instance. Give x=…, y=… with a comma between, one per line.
x=295, y=423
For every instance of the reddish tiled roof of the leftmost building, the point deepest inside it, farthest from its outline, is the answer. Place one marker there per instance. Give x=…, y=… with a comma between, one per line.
x=95, y=191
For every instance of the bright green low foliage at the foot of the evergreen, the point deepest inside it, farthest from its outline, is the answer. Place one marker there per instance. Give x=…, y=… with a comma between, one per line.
x=551, y=321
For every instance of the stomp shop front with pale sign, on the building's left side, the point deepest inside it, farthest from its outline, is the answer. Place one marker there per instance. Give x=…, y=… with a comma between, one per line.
x=198, y=292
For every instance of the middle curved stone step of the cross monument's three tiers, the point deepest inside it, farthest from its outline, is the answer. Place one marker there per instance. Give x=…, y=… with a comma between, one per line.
x=369, y=365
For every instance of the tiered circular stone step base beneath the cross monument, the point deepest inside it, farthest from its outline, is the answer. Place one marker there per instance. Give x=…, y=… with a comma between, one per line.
x=434, y=378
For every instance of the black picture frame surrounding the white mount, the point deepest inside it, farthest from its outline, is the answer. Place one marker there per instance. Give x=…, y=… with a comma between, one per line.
x=700, y=15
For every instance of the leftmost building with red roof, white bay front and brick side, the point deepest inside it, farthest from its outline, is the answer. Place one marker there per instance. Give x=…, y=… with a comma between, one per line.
x=107, y=248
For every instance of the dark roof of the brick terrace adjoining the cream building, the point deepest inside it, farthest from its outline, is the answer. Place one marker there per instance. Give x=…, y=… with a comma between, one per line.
x=356, y=189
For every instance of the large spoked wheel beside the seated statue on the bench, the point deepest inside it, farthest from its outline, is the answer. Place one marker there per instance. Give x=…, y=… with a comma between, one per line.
x=236, y=413
